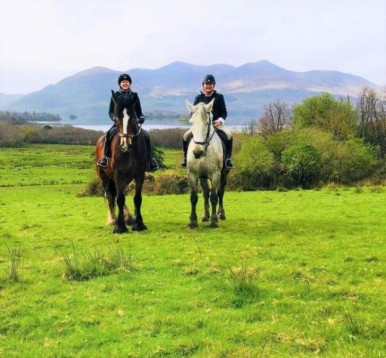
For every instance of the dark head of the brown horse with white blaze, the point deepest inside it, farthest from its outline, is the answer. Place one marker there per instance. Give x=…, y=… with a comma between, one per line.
x=126, y=120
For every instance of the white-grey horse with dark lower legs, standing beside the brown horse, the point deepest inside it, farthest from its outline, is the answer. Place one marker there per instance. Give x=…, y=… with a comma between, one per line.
x=205, y=162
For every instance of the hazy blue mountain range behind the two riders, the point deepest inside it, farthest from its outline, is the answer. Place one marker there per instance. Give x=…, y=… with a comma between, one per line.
x=163, y=91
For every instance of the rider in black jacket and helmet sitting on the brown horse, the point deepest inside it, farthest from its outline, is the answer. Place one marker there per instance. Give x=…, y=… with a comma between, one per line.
x=124, y=82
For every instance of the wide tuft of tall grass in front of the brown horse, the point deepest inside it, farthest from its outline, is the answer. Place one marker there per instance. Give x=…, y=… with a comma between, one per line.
x=85, y=266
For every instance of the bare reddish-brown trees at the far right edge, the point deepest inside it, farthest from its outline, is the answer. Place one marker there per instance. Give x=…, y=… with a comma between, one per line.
x=371, y=111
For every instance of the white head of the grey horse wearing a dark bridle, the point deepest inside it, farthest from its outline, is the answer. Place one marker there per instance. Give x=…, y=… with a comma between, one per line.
x=201, y=125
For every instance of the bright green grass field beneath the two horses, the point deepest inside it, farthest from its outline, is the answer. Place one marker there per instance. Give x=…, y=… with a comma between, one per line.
x=298, y=273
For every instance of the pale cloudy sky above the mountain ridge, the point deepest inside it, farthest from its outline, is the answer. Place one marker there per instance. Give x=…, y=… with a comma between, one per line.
x=45, y=41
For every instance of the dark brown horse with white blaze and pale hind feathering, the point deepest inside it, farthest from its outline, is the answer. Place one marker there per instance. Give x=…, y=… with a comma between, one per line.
x=128, y=162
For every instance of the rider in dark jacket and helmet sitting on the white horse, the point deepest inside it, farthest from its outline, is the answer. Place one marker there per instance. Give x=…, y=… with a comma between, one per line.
x=219, y=115
